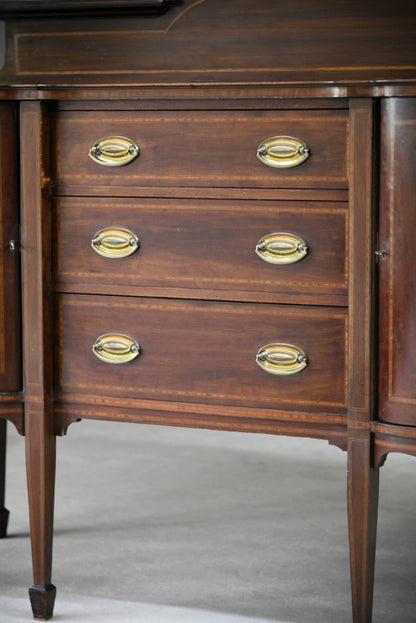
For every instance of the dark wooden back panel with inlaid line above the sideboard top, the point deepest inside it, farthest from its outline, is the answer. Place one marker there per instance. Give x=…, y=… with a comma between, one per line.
x=368, y=46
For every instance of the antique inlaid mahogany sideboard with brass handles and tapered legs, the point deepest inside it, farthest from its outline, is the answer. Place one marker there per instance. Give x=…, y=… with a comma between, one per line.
x=216, y=230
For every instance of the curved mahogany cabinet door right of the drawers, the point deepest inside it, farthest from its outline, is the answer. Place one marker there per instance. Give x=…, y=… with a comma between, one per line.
x=398, y=262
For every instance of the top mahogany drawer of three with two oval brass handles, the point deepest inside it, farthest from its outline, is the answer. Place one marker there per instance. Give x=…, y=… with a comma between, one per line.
x=201, y=149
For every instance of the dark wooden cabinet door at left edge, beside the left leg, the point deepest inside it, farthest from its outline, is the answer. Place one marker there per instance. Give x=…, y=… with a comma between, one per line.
x=10, y=359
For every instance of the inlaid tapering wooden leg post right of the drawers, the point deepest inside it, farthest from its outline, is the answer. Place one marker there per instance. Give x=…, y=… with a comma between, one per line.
x=362, y=477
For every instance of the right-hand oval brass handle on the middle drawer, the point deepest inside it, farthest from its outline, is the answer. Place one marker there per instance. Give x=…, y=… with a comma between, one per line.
x=281, y=248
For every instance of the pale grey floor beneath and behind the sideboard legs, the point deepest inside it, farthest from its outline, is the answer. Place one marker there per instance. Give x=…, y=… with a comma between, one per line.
x=163, y=525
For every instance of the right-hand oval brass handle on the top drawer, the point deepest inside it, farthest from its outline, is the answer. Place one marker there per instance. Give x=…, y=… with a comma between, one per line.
x=283, y=152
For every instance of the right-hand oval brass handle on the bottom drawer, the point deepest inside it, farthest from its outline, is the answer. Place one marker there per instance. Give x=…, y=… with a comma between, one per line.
x=281, y=359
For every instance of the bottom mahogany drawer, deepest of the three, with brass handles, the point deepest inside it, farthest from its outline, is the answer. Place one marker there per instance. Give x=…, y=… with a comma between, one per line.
x=201, y=352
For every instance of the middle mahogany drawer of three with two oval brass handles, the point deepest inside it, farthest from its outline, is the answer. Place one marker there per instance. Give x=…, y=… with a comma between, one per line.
x=256, y=248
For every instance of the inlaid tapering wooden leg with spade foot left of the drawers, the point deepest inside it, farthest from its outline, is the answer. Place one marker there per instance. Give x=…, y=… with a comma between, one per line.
x=37, y=353
